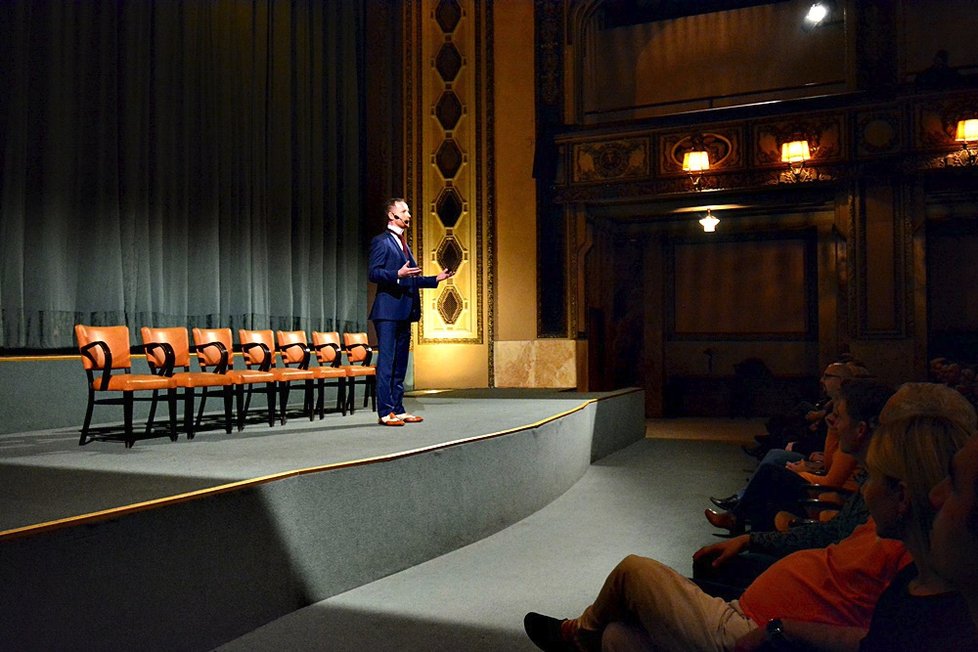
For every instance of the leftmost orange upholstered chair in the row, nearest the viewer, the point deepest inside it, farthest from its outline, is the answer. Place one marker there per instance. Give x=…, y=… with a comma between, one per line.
x=105, y=349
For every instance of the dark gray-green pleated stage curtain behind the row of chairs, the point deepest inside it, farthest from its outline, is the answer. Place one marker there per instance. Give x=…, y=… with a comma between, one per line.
x=179, y=163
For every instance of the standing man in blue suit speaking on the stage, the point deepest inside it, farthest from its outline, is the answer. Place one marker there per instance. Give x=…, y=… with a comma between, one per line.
x=397, y=304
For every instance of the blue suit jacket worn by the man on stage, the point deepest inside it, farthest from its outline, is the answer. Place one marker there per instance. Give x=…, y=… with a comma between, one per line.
x=397, y=299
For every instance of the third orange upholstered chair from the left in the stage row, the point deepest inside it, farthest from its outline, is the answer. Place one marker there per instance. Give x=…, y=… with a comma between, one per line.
x=215, y=353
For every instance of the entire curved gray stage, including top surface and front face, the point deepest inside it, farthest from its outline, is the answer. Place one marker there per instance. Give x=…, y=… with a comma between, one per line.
x=228, y=532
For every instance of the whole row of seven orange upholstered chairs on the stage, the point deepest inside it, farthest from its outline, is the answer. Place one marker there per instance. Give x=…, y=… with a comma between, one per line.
x=107, y=360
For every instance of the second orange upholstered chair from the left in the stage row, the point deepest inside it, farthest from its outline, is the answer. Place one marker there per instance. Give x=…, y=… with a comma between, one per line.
x=168, y=354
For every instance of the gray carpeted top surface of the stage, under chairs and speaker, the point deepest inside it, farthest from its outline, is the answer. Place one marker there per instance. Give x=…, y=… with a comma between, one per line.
x=47, y=476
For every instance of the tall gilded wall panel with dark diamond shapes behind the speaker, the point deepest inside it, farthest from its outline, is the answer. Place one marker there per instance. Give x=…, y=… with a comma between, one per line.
x=449, y=171
